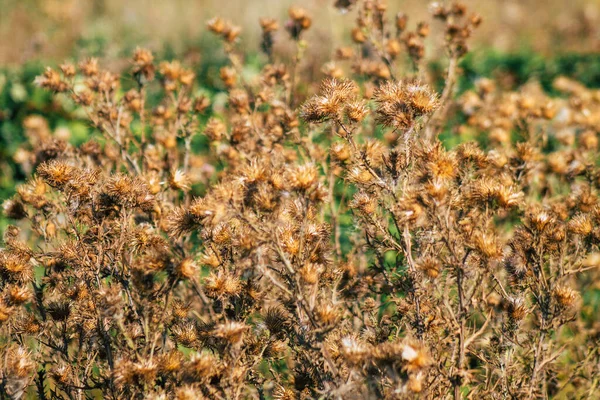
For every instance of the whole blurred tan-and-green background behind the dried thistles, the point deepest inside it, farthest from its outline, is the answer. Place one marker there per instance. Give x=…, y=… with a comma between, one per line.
x=519, y=40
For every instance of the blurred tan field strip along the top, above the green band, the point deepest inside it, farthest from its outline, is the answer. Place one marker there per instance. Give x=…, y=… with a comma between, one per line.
x=55, y=29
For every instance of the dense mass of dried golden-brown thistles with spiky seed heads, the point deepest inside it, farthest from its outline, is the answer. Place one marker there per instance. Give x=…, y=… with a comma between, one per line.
x=339, y=249
